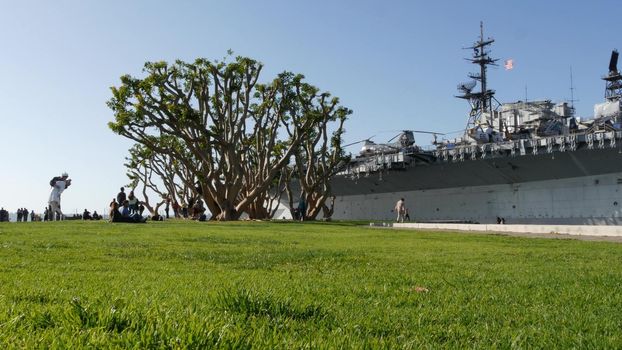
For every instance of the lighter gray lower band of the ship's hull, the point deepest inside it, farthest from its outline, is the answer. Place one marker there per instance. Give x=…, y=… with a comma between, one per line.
x=593, y=200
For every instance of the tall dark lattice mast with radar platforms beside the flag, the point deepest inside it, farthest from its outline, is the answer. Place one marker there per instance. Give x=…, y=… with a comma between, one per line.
x=480, y=101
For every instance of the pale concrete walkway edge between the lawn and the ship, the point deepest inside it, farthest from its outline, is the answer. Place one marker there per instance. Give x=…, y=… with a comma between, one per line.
x=584, y=232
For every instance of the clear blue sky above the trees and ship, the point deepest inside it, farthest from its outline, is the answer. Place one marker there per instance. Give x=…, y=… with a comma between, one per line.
x=395, y=63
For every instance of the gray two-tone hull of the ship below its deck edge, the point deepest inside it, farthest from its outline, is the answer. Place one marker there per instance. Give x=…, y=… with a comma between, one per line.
x=575, y=187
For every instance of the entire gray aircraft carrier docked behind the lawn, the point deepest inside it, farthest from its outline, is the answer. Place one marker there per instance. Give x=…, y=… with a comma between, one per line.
x=528, y=162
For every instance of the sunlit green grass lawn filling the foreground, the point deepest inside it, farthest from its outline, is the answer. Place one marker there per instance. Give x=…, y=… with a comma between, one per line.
x=291, y=285
